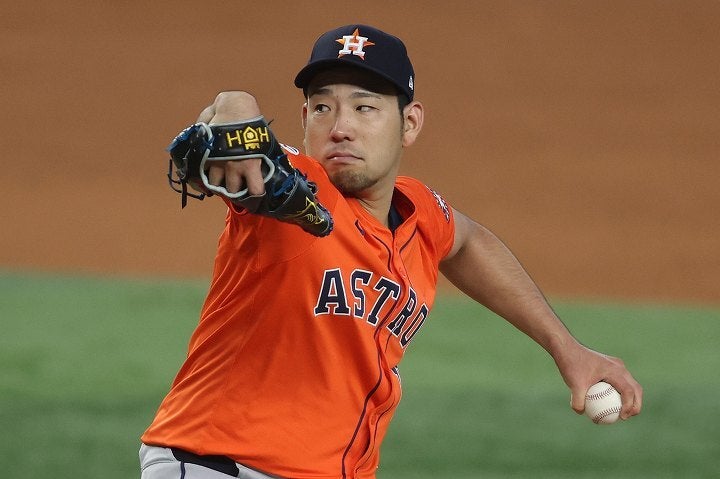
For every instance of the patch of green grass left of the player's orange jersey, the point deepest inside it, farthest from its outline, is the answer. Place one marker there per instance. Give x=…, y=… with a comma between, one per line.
x=83, y=365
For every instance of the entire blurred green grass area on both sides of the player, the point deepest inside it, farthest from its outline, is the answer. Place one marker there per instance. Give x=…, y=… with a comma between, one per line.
x=84, y=363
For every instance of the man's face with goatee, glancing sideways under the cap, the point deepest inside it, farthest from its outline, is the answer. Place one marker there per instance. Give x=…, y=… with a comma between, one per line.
x=354, y=132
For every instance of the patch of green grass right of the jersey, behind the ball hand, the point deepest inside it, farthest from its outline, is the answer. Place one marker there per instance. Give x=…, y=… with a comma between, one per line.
x=482, y=400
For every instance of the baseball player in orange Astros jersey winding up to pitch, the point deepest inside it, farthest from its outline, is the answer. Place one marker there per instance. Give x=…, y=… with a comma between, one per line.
x=325, y=272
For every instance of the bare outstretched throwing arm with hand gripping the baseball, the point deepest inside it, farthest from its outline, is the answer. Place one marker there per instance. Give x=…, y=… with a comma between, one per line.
x=481, y=266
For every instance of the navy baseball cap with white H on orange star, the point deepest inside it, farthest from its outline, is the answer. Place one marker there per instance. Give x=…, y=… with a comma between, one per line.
x=364, y=47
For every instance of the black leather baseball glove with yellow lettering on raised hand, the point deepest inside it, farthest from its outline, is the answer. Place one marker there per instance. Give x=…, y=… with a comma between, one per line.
x=288, y=196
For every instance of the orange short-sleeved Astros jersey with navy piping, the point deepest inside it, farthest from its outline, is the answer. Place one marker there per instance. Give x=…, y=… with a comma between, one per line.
x=292, y=369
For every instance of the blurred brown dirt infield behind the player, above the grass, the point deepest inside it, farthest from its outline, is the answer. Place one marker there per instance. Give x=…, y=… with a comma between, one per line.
x=586, y=134
